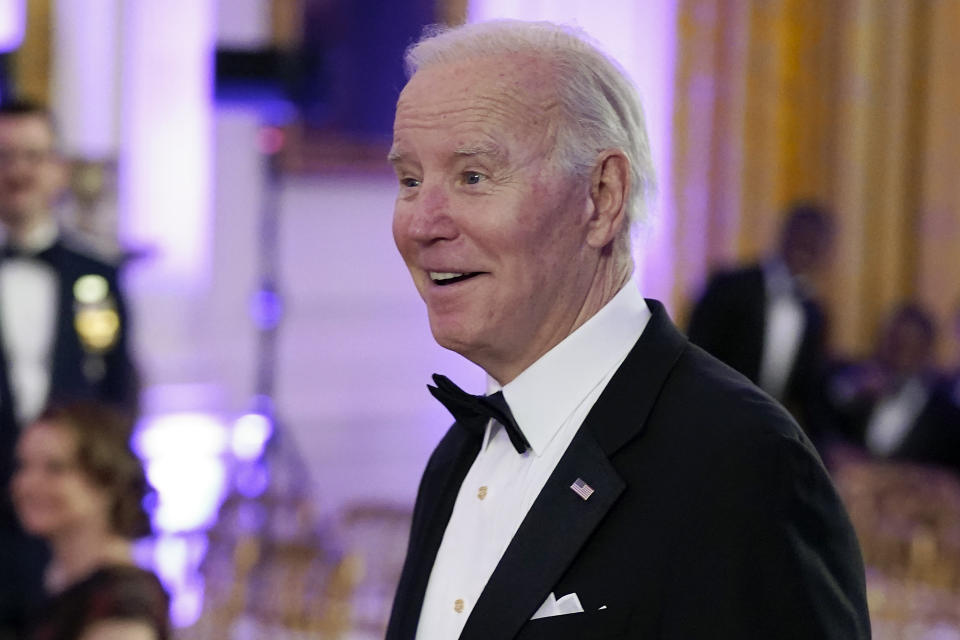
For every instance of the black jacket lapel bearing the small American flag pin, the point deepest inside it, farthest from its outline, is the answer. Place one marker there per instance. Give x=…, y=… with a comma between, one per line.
x=560, y=521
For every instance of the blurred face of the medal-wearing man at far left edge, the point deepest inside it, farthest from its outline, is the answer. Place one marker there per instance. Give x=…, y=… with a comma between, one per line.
x=31, y=174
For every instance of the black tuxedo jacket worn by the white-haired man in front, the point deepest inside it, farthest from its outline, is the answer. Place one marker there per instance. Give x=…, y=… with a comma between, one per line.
x=712, y=517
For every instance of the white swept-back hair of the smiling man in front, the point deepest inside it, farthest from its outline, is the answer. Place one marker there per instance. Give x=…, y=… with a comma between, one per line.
x=600, y=106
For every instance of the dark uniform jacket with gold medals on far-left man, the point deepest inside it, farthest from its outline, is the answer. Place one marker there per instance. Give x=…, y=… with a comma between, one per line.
x=76, y=373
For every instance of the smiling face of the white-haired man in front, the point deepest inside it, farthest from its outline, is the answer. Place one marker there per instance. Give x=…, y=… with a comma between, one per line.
x=492, y=231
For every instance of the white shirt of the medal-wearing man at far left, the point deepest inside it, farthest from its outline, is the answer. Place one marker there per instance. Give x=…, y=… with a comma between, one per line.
x=28, y=312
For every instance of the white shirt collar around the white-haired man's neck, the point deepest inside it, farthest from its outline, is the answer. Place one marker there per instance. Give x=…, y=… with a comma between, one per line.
x=548, y=391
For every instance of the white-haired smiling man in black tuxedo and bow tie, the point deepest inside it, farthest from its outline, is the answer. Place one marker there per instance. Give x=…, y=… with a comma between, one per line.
x=616, y=481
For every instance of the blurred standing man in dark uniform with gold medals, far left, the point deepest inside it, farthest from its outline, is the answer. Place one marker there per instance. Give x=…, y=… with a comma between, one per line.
x=62, y=326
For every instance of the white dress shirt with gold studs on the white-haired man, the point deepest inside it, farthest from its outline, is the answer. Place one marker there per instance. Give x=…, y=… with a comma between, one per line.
x=549, y=401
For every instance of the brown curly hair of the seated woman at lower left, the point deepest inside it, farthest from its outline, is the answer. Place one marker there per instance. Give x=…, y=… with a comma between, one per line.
x=104, y=455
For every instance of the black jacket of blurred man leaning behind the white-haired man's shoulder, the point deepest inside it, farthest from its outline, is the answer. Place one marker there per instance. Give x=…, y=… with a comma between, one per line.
x=729, y=321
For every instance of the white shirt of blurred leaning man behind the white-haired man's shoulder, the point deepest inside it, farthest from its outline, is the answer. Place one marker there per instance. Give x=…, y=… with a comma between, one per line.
x=784, y=327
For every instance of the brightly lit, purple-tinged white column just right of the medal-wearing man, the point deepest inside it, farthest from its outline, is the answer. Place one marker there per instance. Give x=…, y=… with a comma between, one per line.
x=165, y=159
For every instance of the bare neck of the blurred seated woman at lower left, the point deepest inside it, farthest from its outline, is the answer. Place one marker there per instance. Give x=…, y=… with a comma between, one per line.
x=77, y=554
